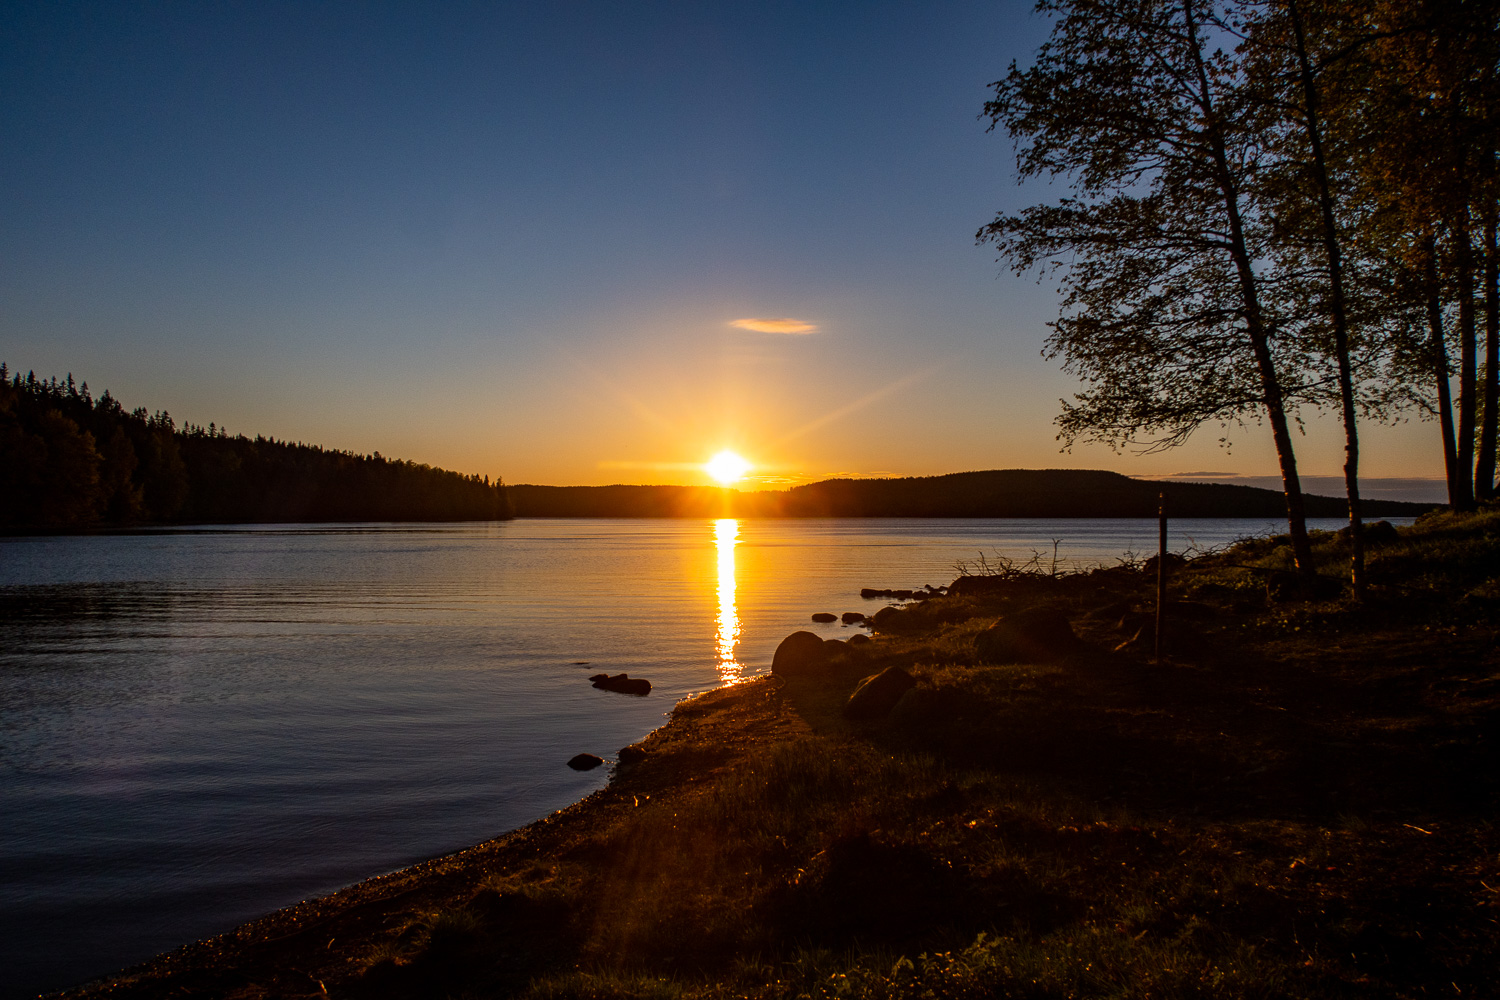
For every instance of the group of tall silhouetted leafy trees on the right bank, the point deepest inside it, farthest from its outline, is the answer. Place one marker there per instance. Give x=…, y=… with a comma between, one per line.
x=1271, y=206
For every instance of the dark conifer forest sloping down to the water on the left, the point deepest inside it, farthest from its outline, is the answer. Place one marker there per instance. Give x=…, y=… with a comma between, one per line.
x=73, y=461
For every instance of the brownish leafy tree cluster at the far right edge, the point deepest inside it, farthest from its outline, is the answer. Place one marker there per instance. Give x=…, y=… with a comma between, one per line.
x=1424, y=122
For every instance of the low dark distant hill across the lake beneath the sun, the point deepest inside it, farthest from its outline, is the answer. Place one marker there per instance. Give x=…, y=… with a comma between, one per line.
x=994, y=494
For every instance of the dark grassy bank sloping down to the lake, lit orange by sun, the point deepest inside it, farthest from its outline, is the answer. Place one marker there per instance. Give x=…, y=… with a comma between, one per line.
x=1300, y=801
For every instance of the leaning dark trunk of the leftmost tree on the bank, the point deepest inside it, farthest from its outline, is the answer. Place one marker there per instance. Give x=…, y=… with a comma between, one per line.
x=1255, y=319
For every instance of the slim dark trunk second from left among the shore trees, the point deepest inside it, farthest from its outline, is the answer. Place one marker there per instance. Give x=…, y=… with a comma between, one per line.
x=1337, y=307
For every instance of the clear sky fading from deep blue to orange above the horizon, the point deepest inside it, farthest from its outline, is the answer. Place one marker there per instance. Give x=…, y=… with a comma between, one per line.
x=515, y=238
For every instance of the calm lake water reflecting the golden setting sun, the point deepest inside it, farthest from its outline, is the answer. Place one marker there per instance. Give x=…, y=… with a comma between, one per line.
x=202, y=726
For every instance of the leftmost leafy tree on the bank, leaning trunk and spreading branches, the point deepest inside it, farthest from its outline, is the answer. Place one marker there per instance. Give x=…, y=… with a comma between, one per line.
x=1165, y=314
